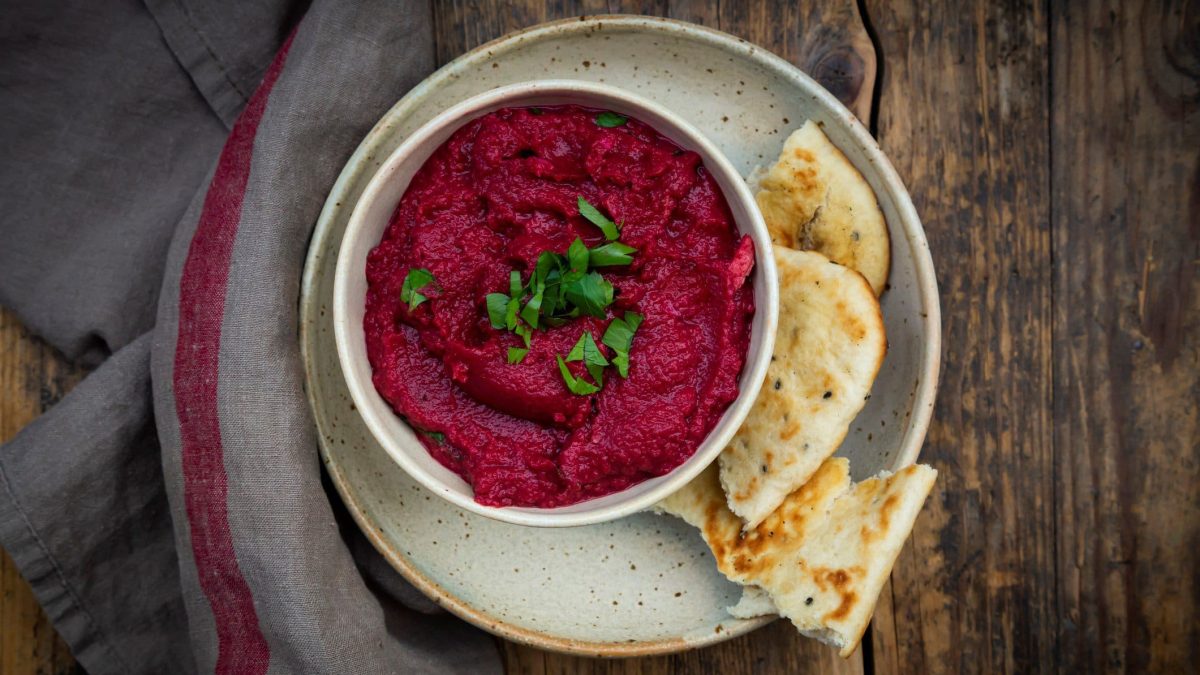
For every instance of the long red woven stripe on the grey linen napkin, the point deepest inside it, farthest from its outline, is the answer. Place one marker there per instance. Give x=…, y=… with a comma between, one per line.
x=242, y=647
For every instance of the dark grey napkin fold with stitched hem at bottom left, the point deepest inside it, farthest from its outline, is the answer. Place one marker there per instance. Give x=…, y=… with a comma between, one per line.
x=85, y=516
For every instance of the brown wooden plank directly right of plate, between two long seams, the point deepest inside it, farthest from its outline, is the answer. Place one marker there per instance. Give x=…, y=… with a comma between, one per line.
x=963, y=114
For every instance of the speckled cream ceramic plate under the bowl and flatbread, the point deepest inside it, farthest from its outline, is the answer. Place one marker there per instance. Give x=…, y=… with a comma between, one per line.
x=645, y=584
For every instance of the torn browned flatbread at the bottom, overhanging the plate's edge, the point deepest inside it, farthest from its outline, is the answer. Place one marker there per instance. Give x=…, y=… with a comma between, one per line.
x=825, y=555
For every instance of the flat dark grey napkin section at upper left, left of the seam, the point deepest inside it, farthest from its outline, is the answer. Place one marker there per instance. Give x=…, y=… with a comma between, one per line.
x=105, y=142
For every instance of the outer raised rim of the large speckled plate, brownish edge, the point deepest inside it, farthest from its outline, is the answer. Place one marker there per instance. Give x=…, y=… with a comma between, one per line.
x=923, y=397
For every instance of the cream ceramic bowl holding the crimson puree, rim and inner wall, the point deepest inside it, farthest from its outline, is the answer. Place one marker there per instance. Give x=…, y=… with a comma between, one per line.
x=373, y=216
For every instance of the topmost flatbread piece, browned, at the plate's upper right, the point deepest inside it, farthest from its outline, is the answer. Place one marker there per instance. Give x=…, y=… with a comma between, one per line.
x=814, y=200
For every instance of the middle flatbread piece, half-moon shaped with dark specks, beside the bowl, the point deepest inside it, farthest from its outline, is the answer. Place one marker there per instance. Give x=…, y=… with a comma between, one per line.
x=829, y=349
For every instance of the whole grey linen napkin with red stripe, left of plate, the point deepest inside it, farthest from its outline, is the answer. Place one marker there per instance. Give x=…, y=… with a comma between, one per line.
x=166, y=164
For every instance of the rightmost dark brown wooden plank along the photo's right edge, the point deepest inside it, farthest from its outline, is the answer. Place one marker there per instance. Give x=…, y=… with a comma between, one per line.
x=1126, y=214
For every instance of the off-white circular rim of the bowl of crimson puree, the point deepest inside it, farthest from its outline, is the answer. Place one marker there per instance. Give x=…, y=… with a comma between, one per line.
x=373, y=408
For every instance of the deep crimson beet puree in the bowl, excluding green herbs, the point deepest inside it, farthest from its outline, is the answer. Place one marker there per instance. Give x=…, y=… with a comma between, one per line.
x=502, y=190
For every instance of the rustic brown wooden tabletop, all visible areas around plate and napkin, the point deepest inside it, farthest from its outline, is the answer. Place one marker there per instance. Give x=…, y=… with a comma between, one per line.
x=1053, y=151
